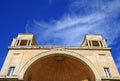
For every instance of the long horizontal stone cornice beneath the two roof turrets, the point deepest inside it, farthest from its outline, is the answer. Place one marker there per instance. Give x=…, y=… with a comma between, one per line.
x=58, y=47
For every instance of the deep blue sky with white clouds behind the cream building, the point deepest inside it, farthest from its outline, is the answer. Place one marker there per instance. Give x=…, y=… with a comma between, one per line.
x=60, y=22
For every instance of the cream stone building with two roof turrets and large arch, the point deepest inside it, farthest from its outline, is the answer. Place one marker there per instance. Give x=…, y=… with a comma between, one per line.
x=27, y=61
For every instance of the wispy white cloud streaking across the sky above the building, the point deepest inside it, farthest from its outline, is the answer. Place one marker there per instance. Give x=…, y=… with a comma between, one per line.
x=84, y=17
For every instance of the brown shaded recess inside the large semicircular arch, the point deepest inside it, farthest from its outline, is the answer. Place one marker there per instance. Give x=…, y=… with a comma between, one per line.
x=59, y=67
